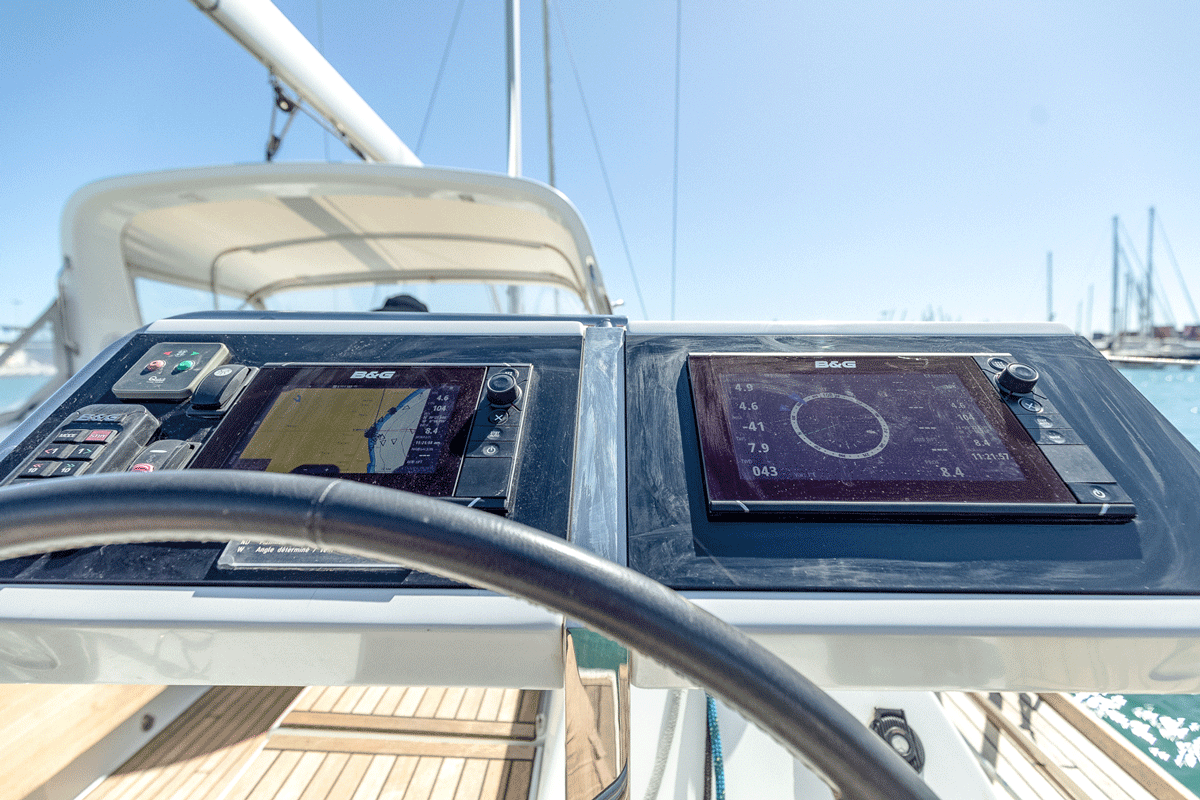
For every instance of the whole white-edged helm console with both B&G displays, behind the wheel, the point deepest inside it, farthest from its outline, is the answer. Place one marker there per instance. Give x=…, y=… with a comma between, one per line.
x=887, y=504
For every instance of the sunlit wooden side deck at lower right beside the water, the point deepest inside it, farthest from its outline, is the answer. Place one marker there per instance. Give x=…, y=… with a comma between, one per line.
x=1046, y=747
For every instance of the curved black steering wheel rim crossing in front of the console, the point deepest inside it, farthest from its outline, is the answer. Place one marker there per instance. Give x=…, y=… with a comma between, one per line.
x=484, y=551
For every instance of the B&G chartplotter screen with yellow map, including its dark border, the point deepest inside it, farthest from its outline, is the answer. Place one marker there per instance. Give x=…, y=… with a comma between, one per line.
x=398, y=426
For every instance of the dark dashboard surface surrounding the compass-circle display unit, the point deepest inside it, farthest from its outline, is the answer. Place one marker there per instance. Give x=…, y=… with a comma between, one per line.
x=674, y=538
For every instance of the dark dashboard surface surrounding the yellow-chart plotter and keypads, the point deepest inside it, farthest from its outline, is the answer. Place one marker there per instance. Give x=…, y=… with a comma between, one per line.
x=542, y=480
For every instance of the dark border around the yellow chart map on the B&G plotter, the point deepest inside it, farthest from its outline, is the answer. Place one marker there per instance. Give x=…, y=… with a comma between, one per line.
x=243, y=420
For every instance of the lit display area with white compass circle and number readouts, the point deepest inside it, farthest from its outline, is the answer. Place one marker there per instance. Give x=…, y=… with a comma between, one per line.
x=848, y=426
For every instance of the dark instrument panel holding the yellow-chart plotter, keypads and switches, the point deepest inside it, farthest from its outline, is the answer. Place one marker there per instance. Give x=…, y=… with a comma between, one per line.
x=511, y=405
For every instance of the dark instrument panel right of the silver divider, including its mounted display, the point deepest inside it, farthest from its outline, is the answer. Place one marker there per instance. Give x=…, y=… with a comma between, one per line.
x=1083, y=420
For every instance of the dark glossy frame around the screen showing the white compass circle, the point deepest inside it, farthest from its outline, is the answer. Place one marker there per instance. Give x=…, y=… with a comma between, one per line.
x=727, y=490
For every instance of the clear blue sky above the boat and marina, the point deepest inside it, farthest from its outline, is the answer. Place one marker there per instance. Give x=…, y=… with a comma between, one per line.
x=838, y=161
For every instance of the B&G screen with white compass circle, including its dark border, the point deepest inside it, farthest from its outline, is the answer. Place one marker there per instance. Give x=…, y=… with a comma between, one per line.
x=793, y=429
